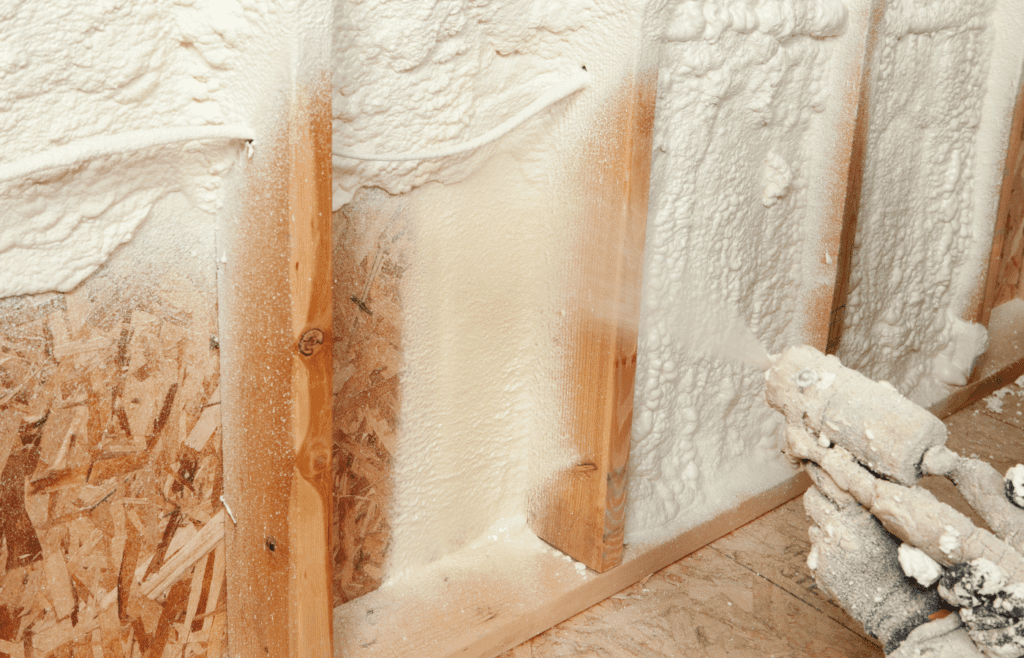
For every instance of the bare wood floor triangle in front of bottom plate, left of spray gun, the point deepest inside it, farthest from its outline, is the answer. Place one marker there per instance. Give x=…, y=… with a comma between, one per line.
x=705, y=605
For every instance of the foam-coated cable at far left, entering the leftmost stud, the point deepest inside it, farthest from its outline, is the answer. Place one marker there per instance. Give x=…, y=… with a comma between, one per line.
x=83, y=151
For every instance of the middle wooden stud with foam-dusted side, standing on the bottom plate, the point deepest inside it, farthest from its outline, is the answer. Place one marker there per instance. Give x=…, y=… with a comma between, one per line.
x=582, y=511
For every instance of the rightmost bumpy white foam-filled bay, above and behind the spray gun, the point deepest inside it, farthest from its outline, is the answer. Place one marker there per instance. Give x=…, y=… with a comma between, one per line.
x=946, y=77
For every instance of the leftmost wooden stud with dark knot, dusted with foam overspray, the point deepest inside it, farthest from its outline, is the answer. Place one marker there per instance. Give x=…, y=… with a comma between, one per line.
x=278, y=344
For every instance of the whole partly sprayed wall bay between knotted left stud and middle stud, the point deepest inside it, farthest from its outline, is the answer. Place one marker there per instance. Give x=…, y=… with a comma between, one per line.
x=483, y=243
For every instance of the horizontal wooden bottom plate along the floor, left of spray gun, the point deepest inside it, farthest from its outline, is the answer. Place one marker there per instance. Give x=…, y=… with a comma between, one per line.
x=481, y=603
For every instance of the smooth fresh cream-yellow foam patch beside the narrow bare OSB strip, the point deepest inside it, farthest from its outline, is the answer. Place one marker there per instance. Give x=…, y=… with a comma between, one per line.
x=479, y=405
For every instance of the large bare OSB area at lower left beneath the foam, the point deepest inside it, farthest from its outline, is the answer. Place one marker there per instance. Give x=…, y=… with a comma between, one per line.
x=110, y=475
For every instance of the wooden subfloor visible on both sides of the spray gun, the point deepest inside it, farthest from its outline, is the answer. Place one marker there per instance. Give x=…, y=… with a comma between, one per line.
x=751, y=594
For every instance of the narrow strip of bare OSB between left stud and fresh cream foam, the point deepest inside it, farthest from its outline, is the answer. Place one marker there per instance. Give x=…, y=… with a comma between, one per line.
x=370, y=252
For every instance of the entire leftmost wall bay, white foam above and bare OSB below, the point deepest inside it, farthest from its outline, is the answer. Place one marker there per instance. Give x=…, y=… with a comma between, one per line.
x=112, y=257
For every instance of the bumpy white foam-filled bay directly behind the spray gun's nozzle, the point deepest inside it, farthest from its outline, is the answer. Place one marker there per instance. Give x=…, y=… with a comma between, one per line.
x=748, y=130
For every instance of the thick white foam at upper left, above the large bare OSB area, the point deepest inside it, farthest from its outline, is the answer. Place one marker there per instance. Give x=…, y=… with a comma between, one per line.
x=91, y=110
